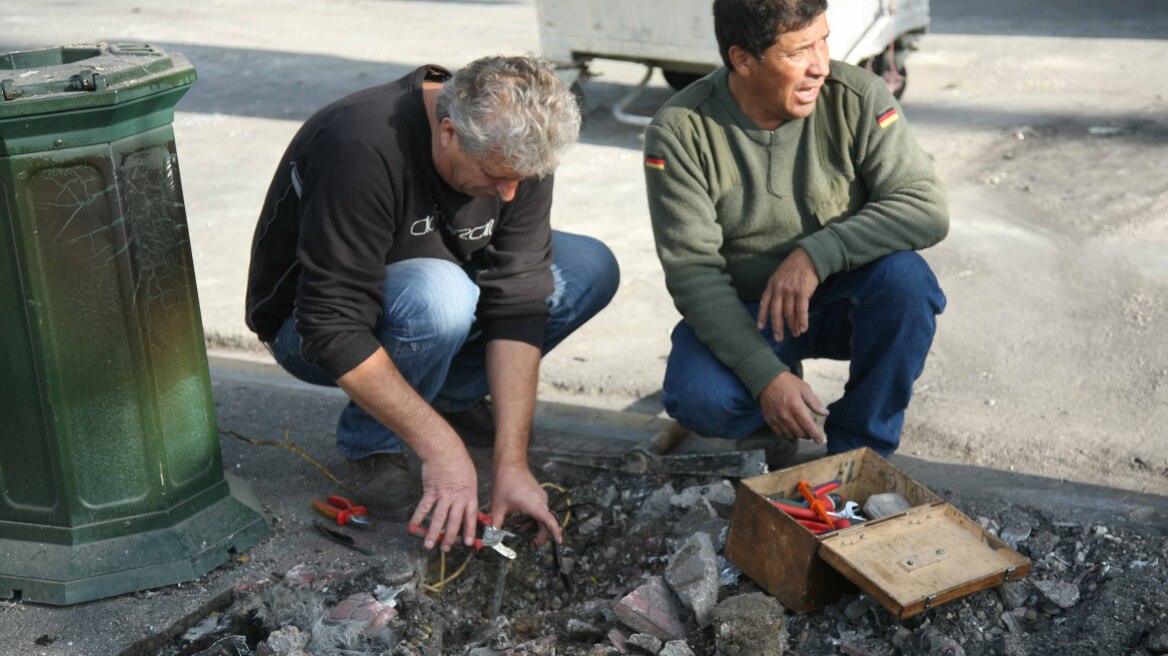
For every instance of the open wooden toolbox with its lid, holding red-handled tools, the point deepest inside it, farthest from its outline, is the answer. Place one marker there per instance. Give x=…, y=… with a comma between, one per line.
x=909, y=562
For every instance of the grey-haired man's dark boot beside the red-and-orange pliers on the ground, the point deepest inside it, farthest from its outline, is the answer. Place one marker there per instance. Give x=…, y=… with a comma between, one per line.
x=386, y=485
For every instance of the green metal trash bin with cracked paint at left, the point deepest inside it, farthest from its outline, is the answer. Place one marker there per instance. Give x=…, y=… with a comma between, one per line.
x=112, y=479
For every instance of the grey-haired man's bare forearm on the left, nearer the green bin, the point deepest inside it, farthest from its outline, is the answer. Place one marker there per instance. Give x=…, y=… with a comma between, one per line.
x=379, y=388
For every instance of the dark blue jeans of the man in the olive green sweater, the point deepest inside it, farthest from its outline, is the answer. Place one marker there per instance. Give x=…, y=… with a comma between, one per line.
x=880, y=317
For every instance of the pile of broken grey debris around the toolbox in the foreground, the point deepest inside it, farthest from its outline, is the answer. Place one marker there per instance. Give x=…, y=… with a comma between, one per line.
x=642, y=573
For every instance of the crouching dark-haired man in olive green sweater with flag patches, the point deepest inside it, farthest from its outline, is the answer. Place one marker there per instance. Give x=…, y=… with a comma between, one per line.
x=788, y=198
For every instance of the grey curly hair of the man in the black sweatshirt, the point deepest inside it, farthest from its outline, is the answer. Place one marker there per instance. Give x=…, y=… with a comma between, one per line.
x=515, y=107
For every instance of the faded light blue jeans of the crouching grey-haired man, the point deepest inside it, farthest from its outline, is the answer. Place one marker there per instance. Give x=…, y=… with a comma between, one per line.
x=430, y=332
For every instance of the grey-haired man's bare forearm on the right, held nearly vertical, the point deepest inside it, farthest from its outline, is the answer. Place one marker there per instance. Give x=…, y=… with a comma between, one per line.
x=513, y=372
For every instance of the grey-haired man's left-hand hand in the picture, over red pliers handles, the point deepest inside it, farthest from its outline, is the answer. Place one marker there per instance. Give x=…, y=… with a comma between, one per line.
x=450, y=491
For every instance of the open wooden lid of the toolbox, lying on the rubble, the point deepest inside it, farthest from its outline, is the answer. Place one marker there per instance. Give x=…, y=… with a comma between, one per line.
x=923, y=557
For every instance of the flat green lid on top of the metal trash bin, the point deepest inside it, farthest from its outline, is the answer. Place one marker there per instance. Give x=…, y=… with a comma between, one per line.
x=74, y=78
